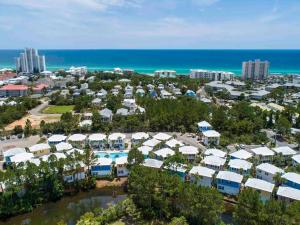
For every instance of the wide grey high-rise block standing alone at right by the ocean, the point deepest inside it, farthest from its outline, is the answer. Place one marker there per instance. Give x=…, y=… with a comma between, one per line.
x=255, y=70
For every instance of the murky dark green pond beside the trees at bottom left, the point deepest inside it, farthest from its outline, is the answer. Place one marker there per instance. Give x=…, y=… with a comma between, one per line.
x=68, y=209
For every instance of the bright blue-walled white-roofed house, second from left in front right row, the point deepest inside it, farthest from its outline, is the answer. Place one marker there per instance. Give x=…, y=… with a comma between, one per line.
x=229, y=182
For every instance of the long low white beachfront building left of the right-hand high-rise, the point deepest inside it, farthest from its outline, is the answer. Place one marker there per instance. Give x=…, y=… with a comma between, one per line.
x=211, y=75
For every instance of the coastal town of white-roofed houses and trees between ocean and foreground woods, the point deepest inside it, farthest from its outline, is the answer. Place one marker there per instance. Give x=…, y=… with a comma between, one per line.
x=211, y=129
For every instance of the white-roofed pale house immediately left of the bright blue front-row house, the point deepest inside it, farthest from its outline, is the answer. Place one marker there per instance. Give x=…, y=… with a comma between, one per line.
x=201, y=176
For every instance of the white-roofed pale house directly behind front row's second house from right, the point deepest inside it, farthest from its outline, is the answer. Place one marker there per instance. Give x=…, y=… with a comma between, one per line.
x=266, y=171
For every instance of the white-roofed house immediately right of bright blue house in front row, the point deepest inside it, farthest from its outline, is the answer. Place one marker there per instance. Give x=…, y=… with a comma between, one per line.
x=264, y=188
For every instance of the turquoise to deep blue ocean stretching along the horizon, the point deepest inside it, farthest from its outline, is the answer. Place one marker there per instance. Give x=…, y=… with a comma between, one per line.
x=147, y=61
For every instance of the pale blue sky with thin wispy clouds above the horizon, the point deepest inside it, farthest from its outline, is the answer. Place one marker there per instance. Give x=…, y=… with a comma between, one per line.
x=192, y=24
